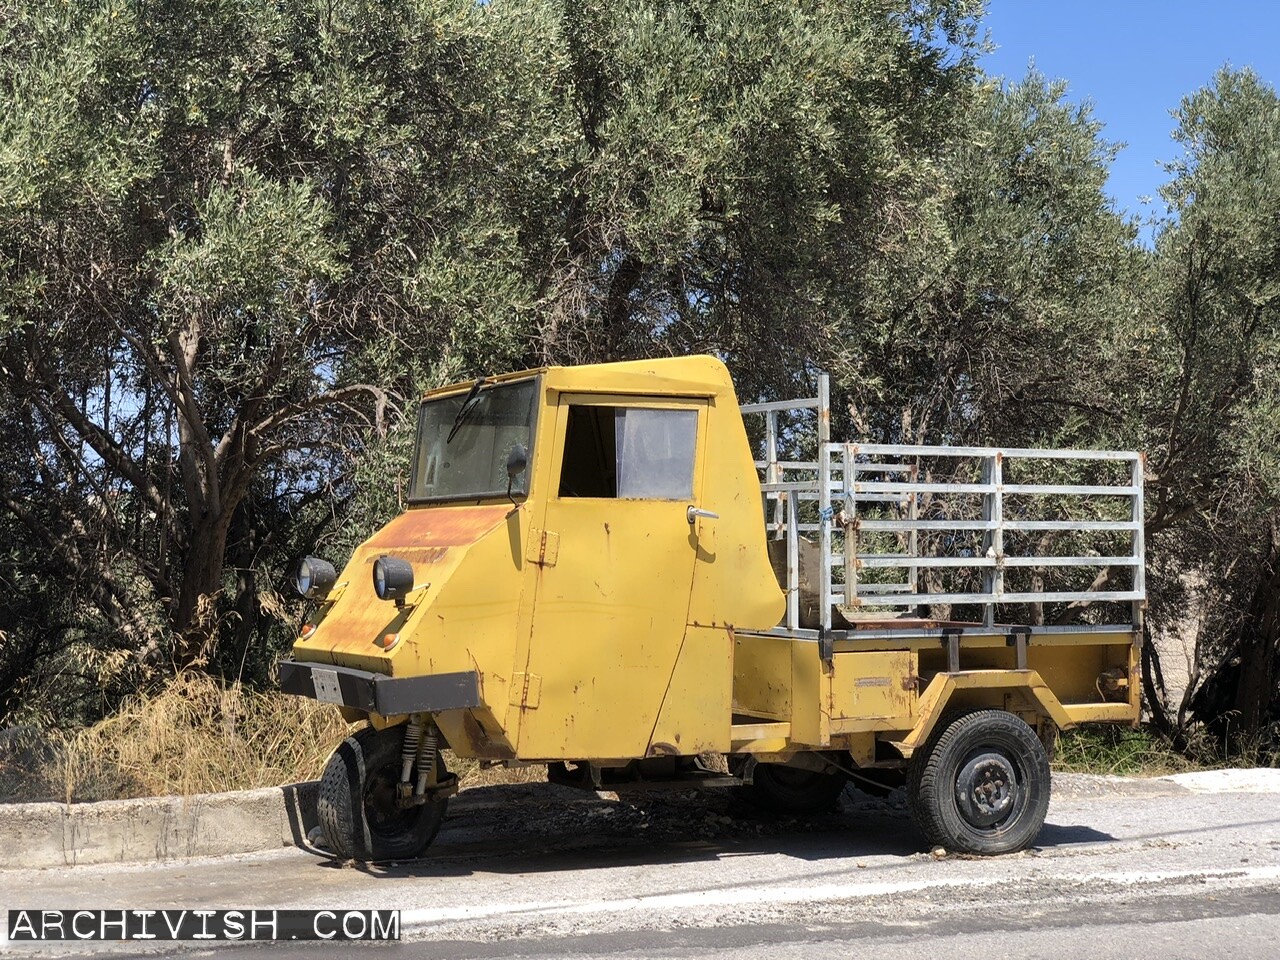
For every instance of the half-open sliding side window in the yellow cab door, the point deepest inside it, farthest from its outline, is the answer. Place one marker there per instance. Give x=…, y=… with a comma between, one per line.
x=629, y=452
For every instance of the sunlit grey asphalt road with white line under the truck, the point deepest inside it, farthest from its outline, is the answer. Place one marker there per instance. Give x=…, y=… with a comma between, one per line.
x=1123, y=870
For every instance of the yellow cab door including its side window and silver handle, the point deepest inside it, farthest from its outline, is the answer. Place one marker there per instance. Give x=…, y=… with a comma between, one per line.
x=612, y=565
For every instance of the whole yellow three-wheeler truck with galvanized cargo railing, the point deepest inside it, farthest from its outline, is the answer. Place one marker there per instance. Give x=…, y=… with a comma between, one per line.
x=595, y=573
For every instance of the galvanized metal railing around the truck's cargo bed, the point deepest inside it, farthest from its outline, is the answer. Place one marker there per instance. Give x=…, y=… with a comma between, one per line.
x=857, y=497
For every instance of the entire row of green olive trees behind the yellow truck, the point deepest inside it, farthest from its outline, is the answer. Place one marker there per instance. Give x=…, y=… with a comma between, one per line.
x=236, y=240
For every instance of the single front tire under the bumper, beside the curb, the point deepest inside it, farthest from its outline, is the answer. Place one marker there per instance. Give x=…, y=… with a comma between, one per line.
x=358, y=810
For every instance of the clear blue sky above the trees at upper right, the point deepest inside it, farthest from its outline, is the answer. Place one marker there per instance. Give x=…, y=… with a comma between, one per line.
x=1135, y=61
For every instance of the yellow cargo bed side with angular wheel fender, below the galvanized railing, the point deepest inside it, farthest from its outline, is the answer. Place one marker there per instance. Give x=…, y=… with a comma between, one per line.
x=897, y=691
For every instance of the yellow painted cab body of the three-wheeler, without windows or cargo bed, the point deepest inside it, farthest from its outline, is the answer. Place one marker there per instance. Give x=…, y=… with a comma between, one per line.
x=601, y=628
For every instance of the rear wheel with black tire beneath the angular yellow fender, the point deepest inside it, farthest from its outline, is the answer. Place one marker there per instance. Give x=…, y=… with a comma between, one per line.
x=982, y=785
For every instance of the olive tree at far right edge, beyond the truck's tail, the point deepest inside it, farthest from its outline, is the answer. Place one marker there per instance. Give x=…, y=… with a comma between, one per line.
x=1217, y=396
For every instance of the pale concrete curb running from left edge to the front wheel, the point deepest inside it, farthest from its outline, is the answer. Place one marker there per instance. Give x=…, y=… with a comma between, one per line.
x=156, y=829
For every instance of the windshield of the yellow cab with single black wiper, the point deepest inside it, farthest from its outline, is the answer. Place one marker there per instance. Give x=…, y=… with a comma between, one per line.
x=474, y=464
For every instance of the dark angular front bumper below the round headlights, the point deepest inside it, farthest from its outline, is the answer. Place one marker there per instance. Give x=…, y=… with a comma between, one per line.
x=378, y=693
